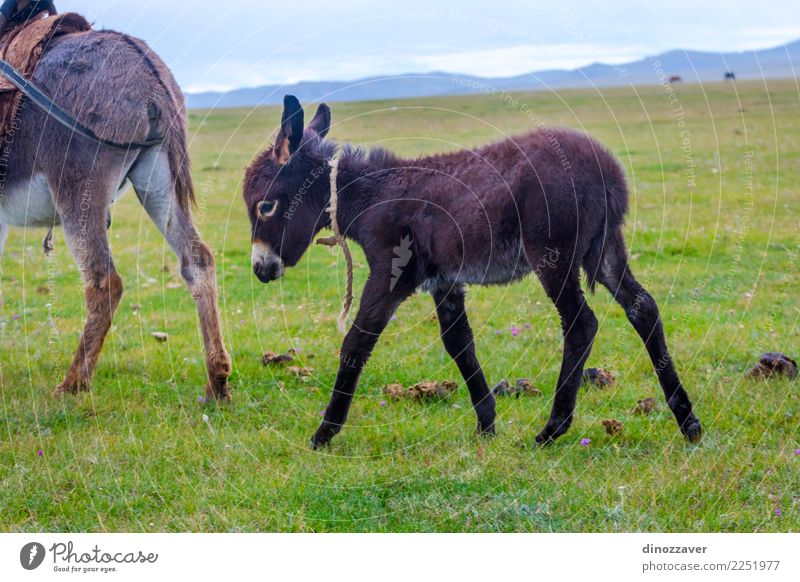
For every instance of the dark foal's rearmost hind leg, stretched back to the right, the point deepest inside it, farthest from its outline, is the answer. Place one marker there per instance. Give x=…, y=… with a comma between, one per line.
x=642, y=312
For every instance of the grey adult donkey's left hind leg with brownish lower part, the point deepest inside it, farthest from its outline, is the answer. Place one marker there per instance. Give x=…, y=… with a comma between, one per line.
x=86, y=236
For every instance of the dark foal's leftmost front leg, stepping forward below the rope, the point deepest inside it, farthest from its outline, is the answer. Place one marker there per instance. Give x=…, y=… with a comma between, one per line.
x=377, y=305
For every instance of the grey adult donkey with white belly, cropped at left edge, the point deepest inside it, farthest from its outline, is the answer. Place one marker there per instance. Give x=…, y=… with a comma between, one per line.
x=115, y=85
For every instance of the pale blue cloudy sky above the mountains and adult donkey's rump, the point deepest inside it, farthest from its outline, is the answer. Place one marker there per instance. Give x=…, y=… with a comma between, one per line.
x=224, y=44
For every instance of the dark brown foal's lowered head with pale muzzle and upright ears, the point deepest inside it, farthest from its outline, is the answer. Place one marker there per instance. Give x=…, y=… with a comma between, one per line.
x=286, y=189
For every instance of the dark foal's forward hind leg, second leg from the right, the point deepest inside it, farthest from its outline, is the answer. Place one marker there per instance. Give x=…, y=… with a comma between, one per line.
x=579, y=326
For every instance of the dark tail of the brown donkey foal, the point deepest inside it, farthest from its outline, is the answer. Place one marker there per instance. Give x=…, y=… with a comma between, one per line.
x=609, y=235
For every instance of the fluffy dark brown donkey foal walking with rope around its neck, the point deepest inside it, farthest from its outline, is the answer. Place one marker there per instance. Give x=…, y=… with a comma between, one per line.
x=547, y=202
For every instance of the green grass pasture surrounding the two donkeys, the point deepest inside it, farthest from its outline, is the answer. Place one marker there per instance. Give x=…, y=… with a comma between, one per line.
x=714, y=233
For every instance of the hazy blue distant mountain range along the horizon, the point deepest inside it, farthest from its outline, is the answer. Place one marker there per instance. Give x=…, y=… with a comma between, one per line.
x=690, y=66
